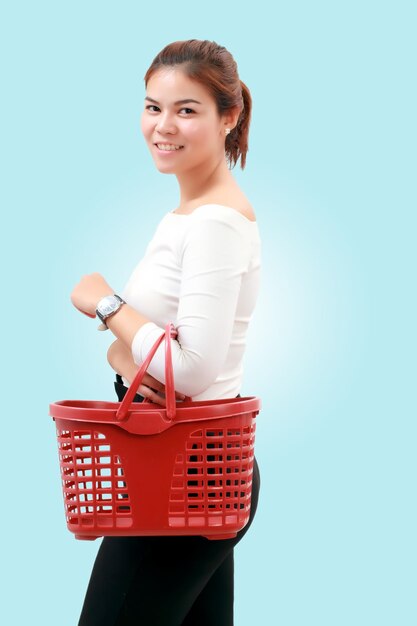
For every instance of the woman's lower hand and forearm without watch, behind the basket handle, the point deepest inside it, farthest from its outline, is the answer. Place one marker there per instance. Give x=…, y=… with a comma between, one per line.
x=121, y=360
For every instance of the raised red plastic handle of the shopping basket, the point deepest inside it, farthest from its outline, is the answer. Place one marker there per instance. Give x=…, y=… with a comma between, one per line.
x=170, y=331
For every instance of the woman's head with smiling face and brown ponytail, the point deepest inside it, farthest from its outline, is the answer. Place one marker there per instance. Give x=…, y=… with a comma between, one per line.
x=221, y=101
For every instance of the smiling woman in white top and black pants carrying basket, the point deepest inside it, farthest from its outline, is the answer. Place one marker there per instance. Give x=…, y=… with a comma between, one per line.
x=201, y=271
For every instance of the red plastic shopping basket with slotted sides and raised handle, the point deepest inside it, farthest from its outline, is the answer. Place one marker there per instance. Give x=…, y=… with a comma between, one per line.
x=131, y=468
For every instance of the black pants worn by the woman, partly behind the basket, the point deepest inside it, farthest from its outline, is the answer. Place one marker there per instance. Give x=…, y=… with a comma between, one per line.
x=164, y=580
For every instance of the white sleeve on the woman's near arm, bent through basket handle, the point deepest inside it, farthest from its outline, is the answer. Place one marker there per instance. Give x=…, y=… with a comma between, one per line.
x=213, y=258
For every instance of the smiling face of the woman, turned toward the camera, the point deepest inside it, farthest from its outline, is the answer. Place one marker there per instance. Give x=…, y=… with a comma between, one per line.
x=180, y=123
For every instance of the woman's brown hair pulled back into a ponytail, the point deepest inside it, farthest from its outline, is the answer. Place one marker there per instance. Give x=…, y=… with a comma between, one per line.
x=214, y=67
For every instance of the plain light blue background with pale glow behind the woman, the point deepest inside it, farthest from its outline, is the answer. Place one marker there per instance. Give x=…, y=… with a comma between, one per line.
x=331, y=348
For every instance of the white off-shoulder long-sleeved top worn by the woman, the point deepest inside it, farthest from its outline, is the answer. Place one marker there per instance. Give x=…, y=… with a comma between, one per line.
x=201, y=271
